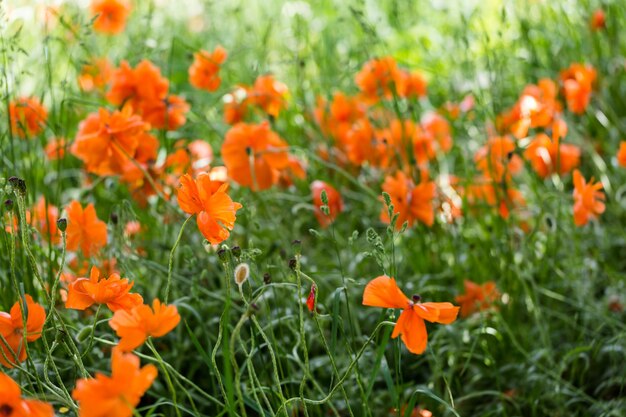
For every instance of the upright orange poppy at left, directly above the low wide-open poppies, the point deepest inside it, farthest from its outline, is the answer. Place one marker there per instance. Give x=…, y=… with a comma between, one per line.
x=84, y=229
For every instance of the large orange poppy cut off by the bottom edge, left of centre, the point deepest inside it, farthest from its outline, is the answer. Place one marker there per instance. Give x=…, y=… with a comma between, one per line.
x=116, y=395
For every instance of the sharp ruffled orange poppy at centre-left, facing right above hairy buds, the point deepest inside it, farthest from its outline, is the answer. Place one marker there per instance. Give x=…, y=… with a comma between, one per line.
x=215, y=210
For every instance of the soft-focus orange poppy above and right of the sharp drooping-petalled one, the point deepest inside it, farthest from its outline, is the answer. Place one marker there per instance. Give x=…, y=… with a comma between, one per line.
x=411, y=202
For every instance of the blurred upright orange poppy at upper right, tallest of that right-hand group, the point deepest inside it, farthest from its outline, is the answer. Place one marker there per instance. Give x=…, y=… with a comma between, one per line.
x=578, y=82
